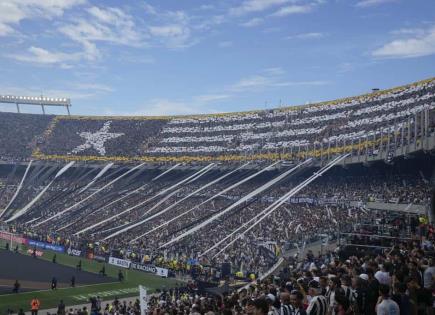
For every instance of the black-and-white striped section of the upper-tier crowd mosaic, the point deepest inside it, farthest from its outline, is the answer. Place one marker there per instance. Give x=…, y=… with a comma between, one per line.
x=290, y=130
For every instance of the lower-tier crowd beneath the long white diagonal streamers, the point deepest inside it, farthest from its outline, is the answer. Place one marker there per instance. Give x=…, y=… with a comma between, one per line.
x=137, y=214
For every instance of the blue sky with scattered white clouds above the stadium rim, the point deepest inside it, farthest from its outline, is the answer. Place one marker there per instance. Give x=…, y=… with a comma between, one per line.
x=182, y=57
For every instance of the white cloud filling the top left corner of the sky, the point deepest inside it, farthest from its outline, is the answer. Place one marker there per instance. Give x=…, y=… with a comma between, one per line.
x=14, y=11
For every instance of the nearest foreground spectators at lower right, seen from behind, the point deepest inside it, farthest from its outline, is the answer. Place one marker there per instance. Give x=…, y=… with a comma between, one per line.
x=399, y=280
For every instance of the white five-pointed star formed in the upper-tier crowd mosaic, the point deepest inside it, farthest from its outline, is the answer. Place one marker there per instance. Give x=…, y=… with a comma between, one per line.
x=97, y=139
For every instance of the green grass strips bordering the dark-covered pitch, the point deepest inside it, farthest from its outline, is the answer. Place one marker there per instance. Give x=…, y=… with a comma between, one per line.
x=80, y=295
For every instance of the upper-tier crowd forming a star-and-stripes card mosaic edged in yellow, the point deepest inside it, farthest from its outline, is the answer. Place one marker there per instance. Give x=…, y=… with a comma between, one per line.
x=375, y=124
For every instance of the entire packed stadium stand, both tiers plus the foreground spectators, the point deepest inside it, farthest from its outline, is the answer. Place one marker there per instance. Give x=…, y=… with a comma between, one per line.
x=186, y=194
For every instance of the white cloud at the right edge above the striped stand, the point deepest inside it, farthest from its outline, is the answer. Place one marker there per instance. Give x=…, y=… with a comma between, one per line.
x=421, y=44
